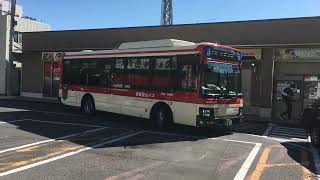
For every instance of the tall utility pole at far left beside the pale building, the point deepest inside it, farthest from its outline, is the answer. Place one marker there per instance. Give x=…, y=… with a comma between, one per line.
x=10, y=63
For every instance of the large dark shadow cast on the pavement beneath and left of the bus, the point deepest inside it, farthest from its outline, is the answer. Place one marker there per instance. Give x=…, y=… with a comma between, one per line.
x=70, y=123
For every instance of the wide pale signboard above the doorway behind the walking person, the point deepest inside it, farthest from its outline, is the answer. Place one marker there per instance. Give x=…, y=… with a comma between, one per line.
x=297, y=53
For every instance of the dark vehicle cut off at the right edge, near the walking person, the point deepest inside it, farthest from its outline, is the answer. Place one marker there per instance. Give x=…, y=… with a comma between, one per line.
x=310, y=120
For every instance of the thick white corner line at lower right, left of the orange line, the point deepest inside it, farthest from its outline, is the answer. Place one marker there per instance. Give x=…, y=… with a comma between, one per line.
x=248, y=162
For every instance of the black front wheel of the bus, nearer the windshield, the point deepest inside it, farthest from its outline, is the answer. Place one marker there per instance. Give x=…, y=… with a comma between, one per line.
x=162, y=117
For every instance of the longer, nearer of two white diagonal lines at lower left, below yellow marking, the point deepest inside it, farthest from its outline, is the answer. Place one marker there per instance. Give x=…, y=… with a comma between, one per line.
x=68, y=154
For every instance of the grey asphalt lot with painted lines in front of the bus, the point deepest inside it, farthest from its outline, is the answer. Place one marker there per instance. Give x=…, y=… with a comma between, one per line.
x=50, y=141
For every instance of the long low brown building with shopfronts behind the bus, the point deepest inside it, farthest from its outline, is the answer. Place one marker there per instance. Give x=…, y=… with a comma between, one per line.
x=277, y=53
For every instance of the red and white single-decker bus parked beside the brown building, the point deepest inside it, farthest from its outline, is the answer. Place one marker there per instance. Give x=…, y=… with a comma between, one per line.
x=167, y=81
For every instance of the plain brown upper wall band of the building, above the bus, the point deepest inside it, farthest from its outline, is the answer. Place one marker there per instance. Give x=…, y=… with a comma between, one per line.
x=263, y=32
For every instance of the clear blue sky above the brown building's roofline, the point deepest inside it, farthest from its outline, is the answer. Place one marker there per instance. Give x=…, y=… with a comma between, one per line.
x=94, y=14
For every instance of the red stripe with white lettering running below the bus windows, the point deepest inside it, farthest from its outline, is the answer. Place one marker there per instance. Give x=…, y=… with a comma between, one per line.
x=178, y=96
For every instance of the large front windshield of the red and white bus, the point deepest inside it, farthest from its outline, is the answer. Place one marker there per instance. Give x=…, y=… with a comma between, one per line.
x=221, y=79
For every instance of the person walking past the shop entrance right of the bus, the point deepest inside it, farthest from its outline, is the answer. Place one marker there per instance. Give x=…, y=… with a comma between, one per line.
x=287, y=97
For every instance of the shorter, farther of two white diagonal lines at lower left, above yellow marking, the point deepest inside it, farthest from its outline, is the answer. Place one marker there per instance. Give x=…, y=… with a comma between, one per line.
x=50, y=140
